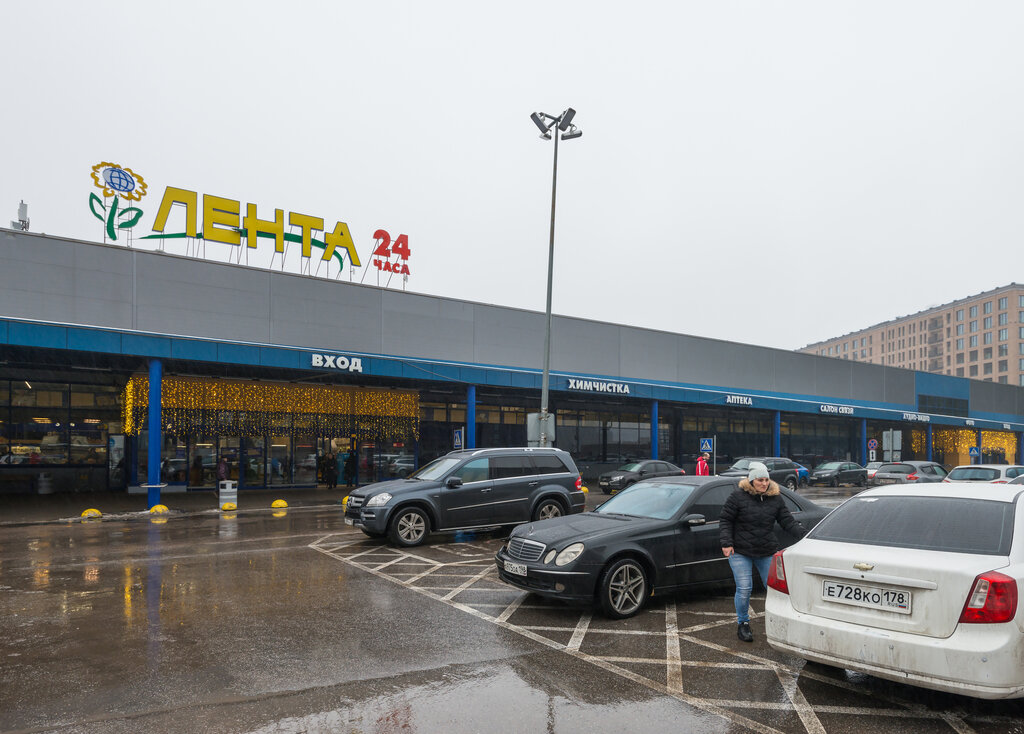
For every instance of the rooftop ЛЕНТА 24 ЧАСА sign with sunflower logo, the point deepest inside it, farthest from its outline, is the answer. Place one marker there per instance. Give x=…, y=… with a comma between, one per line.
x=223, y=222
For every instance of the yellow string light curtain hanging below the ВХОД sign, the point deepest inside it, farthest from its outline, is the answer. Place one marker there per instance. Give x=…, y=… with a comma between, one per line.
x=231, y=408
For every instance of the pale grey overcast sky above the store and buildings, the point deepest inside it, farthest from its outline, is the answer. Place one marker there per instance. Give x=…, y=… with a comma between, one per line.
x=773, y=174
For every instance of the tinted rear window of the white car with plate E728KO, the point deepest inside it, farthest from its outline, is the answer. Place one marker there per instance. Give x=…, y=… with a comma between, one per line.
x=930, y=524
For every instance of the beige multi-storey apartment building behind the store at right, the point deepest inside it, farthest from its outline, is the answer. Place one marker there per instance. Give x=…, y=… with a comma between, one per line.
x=980, y=337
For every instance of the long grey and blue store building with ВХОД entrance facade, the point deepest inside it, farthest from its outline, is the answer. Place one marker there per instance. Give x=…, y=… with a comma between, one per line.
x=125, y=368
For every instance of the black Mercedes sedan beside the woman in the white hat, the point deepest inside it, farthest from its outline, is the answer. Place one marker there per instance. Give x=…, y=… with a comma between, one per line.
x=656, y=537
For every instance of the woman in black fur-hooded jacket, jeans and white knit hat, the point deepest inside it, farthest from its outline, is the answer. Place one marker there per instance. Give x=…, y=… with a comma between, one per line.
x=748, y=536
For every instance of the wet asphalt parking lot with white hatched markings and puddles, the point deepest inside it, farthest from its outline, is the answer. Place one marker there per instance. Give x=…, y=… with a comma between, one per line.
x=290, y=622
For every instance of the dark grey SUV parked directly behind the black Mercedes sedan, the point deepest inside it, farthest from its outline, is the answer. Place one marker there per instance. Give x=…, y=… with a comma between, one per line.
x=461, y=491
